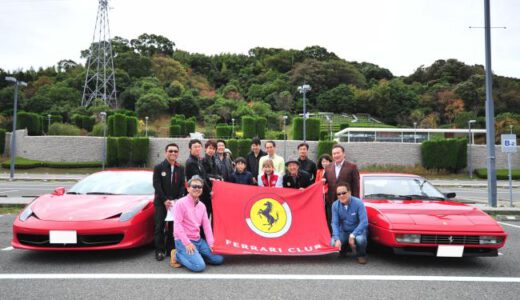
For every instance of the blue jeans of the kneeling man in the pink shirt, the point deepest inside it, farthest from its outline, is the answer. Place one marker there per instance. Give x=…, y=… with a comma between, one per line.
x=196, y=261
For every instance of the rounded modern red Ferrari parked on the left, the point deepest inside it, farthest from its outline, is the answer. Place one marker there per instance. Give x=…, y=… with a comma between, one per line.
x=106, y=210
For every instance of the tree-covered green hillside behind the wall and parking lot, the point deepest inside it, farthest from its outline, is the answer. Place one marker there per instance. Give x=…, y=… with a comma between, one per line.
x=157, y=80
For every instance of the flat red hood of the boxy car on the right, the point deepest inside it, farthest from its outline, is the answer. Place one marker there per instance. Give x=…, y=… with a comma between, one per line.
x=433, y=215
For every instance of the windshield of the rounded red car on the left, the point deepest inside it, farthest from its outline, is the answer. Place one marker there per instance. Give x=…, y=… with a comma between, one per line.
x=115, y=183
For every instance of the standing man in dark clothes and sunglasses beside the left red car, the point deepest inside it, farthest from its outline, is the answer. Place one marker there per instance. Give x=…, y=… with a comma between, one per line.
x=168, y=182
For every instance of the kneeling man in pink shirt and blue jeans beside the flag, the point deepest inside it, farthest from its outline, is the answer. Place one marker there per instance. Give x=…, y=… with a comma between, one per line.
x=189, y=215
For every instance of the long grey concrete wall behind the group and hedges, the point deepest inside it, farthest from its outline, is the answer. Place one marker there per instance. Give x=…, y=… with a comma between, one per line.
x=84, y=149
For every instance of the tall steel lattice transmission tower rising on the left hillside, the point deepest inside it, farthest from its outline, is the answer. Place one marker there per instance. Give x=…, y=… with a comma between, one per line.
x=100, y=80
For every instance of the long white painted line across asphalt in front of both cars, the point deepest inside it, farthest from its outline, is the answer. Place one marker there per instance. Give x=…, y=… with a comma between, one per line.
x=263, y=277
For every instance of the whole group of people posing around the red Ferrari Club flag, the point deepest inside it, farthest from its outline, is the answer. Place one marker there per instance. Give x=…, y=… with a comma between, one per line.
x=191, y=206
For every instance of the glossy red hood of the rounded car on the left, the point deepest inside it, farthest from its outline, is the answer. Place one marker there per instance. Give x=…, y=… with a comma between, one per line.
x=84, y=207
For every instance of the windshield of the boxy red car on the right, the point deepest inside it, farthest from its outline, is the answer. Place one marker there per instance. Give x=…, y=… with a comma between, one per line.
x=399, y=187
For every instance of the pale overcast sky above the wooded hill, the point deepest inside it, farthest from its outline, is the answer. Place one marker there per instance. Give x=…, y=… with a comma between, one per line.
x=400, y=35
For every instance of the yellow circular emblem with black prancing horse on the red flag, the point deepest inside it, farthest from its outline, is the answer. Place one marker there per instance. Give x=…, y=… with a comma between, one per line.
x=269, y=218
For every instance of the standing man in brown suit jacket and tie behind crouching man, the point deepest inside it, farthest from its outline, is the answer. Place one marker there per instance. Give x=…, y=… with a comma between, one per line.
x=339, y=171
